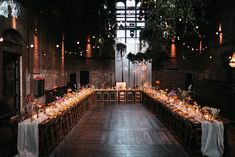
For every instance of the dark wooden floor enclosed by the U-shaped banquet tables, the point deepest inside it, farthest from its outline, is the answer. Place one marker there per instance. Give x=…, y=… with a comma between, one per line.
x=123, y=130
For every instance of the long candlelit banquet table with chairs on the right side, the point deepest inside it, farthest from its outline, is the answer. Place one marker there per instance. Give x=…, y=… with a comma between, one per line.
x=207, y=138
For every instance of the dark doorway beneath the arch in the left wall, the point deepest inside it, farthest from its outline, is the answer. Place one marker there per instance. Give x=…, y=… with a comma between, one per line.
x=11, y=82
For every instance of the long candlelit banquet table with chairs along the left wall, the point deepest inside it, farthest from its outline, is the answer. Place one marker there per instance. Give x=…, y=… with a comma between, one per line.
x=40, y=136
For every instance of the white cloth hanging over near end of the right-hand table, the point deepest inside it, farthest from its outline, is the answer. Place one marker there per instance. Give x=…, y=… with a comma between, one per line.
x=212, y=139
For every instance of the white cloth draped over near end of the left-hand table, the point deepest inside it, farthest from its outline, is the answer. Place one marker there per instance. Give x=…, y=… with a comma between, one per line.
x=28, y=137
